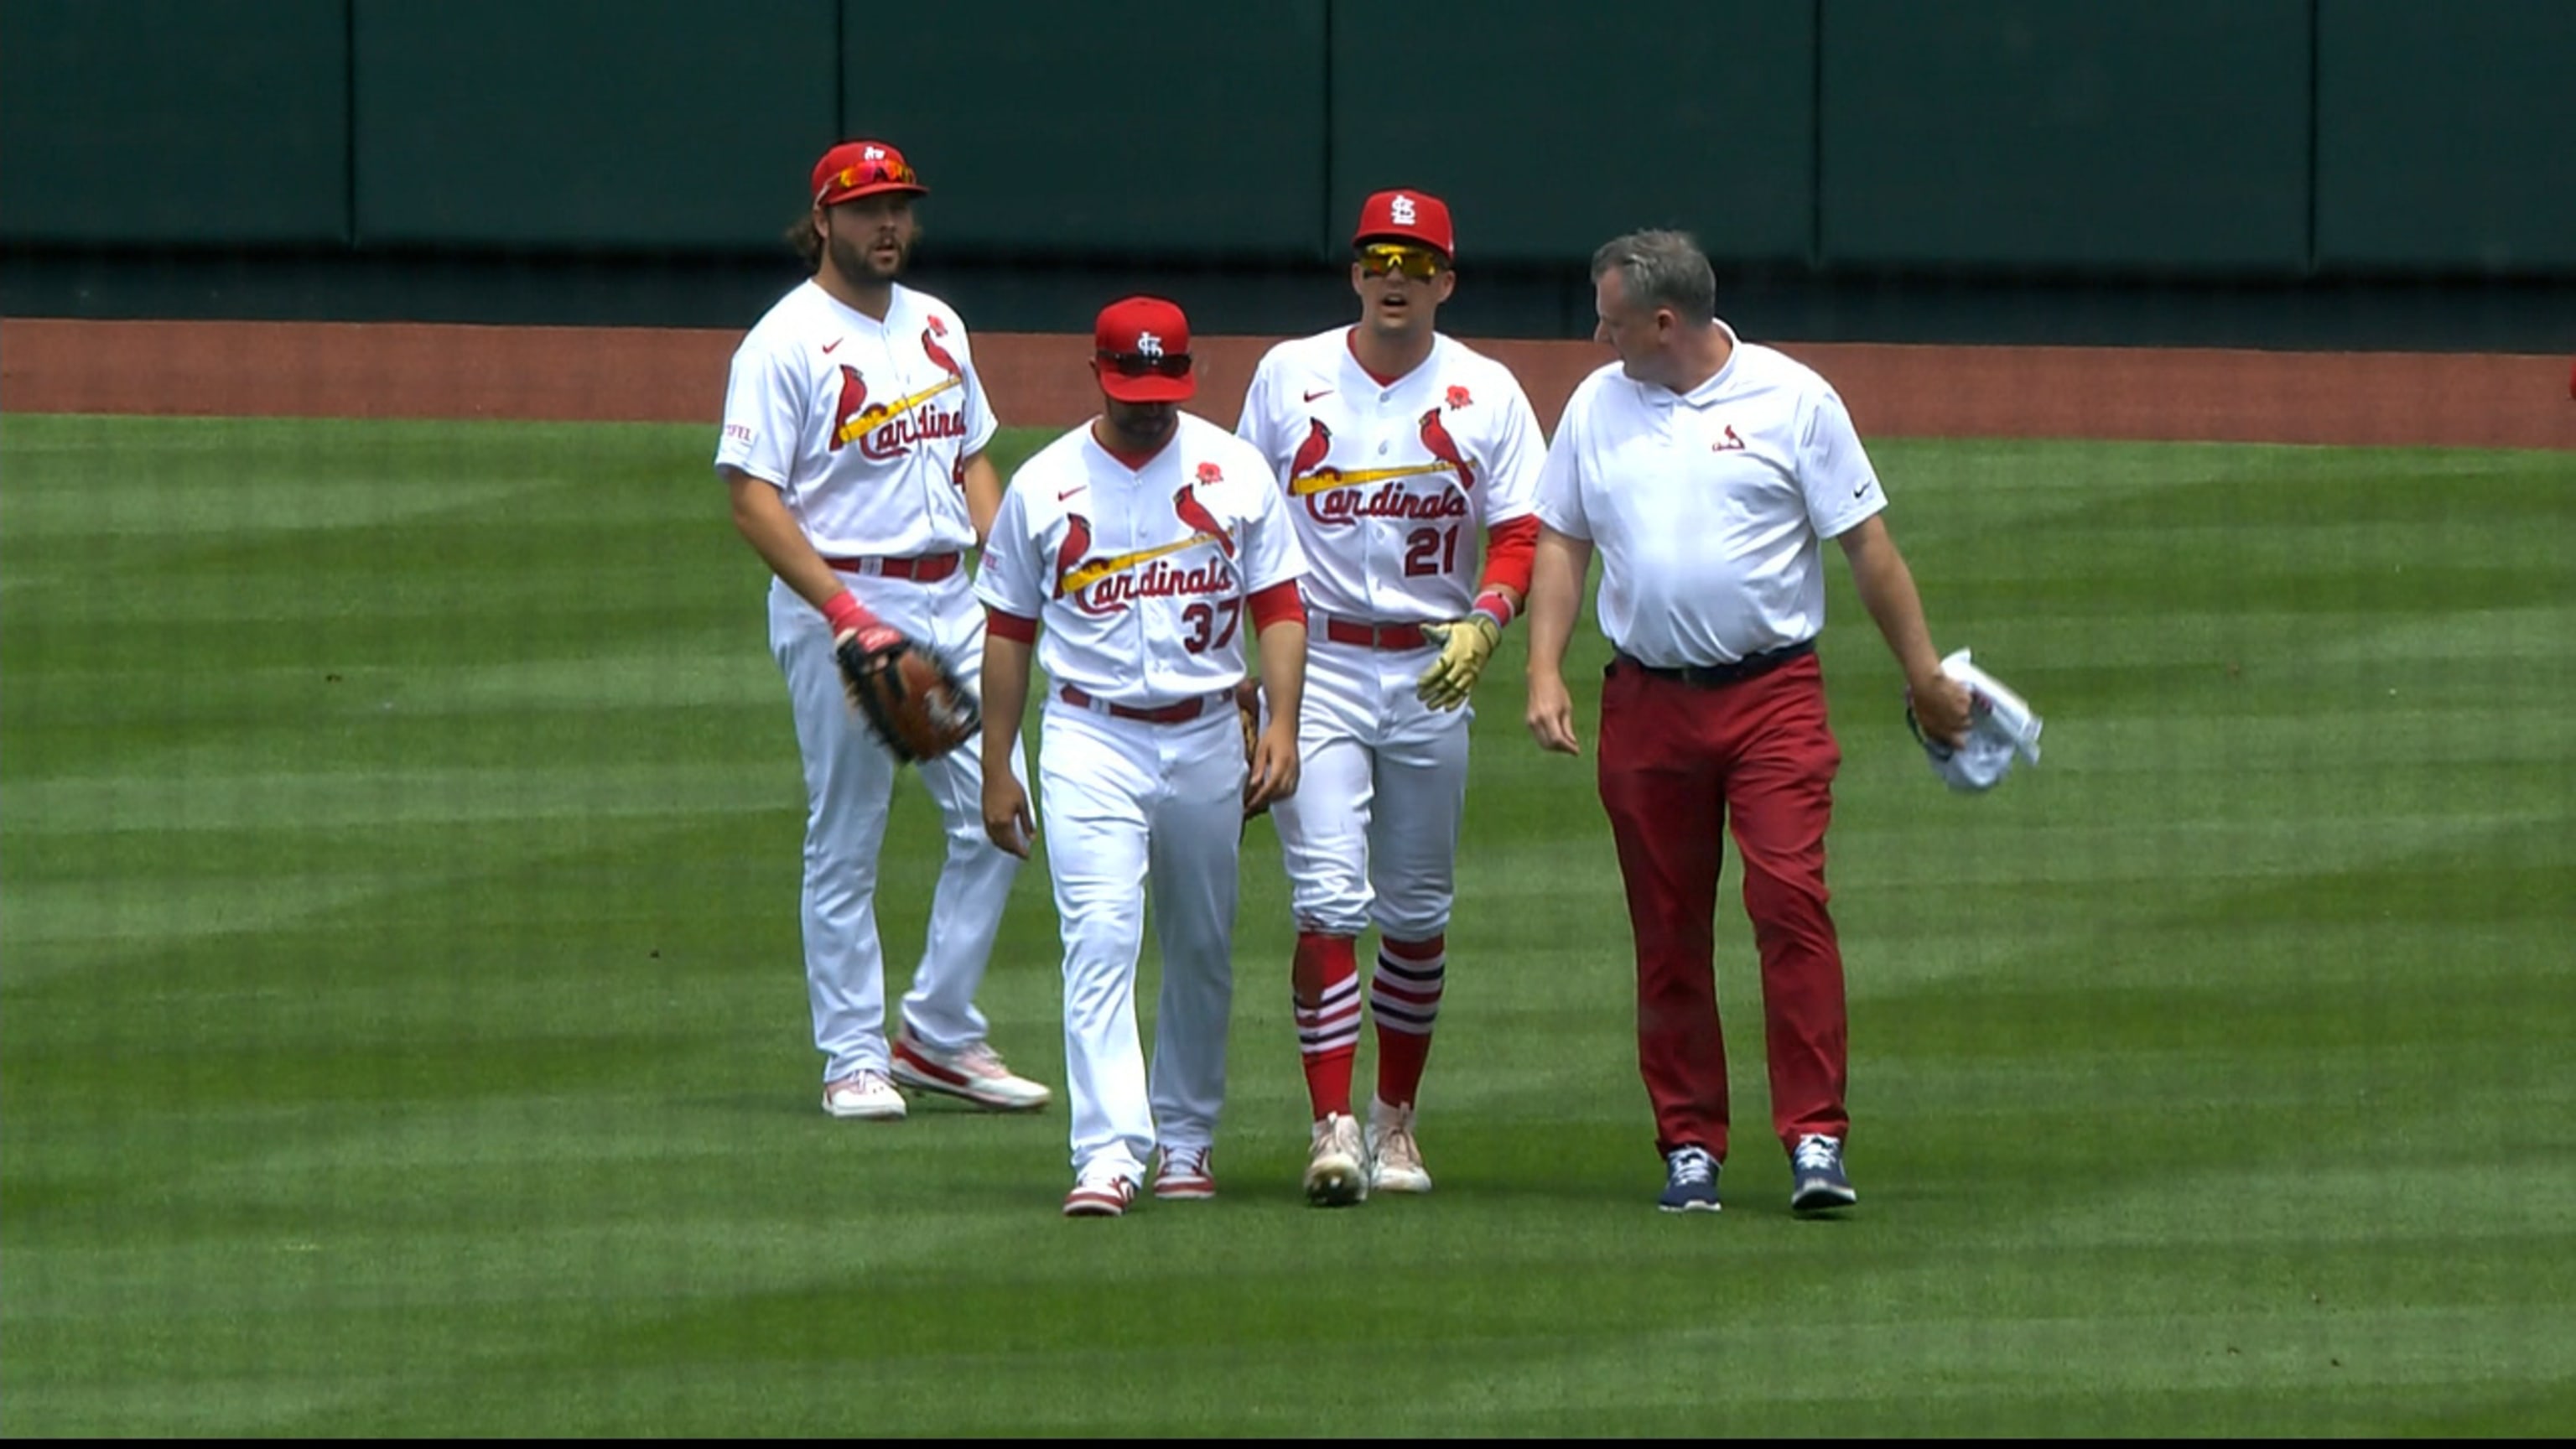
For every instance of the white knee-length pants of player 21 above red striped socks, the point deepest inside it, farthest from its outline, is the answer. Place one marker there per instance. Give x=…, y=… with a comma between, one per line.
x=1372, y=831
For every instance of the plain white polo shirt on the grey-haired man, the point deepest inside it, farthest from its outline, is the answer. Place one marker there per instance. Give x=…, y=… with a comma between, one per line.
x=1709, y=509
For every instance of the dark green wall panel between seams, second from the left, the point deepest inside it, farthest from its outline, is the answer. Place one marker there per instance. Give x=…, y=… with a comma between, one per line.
x=589, y=122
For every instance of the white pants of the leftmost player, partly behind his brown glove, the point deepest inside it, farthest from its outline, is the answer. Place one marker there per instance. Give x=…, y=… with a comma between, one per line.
x=849, y=795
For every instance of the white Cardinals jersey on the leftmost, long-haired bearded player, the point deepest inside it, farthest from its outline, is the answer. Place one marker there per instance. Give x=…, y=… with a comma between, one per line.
x=862, y=424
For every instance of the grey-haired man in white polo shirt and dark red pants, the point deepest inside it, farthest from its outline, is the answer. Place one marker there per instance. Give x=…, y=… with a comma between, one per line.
x=1707, y=473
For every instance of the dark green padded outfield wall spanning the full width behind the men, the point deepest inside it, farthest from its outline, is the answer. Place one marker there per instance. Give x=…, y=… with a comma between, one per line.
x=1815, y=146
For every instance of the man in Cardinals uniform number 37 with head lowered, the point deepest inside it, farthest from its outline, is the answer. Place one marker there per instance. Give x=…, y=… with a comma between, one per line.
x=1148, y=545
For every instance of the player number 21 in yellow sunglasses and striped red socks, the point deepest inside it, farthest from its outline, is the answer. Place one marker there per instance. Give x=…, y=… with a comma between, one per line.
x=1395, y=450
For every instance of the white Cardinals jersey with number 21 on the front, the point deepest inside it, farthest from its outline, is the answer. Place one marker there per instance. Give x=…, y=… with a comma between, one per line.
x=1390, y=483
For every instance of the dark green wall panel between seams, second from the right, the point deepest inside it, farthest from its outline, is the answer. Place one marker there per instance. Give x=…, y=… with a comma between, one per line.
x=2165, y=138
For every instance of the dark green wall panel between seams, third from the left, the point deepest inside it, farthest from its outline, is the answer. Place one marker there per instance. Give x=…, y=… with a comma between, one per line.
x=1142, y=130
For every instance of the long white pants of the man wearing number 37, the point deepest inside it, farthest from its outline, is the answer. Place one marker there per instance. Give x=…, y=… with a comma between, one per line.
x=1135, y=808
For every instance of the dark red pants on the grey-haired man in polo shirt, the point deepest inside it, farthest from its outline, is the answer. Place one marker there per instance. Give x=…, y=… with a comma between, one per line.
x=1681, y=764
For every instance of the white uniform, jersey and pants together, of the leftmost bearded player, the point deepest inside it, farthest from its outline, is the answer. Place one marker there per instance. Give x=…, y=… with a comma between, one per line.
x=864, y=427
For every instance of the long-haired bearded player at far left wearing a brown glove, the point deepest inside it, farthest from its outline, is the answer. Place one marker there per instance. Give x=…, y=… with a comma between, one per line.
x=854, y=450
